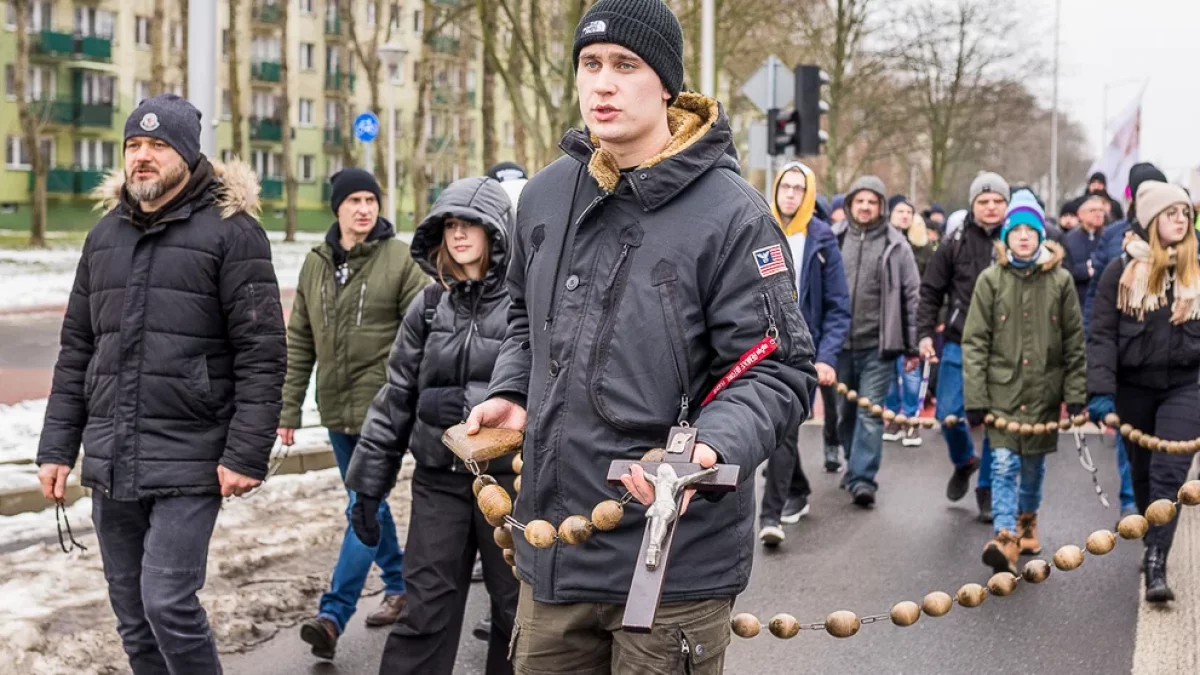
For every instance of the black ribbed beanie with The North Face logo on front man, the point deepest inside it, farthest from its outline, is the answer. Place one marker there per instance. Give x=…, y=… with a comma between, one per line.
x=647, y=28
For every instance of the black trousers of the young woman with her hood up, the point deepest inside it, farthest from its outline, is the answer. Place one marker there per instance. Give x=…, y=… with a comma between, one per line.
x=446, y=531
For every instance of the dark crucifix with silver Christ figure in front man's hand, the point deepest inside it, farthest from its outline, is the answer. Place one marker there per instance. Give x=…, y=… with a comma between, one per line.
x=669, y=477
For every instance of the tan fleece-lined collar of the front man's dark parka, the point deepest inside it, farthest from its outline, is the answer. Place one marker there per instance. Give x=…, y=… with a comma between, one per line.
x=701, y=139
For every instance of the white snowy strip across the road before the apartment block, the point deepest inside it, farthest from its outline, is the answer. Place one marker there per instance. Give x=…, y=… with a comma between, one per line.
x=44, y=278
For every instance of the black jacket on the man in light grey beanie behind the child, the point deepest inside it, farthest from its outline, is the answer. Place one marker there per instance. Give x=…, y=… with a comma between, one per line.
x=952, y=273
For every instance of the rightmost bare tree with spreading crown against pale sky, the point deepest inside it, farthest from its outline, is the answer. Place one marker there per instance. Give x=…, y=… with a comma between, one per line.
x=956, y=63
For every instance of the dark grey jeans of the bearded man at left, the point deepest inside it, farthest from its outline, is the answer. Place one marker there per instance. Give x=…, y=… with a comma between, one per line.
x=157, y=554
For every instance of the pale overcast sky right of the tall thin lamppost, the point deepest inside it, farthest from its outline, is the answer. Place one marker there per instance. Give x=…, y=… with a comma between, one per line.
x=1117, y=41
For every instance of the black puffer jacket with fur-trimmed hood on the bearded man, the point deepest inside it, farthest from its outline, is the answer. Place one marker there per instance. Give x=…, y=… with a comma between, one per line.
x=173, y=344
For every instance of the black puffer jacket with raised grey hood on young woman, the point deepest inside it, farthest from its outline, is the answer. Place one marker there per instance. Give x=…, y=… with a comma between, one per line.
x=437, y=354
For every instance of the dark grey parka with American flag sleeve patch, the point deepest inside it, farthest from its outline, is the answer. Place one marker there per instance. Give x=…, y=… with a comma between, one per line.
x=633, y=294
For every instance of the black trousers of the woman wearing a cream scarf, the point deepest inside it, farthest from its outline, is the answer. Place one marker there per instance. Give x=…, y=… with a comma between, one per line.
x=1171, y=415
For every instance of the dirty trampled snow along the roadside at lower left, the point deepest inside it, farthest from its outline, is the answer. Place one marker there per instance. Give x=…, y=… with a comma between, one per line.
x=269, y=561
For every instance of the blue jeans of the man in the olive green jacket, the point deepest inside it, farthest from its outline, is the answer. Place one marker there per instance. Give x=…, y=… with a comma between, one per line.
x=356, y=558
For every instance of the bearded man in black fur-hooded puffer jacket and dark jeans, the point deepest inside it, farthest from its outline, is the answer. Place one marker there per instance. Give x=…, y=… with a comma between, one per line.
x=171, y=374
